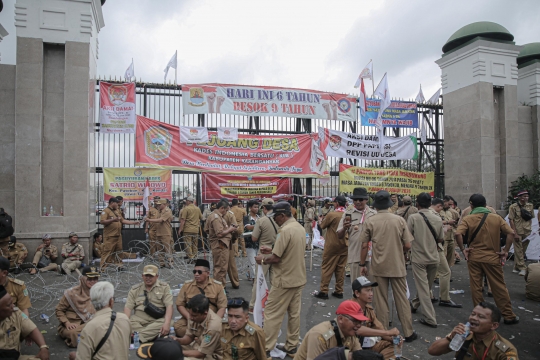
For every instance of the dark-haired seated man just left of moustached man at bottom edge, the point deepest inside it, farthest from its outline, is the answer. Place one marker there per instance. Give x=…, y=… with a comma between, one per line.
x=203, y=335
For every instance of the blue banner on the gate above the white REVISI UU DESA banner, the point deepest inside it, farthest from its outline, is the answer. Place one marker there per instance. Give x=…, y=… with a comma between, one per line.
x=400, y=114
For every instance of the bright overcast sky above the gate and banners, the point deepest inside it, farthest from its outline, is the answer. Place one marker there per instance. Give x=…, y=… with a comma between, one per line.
x=321, y=45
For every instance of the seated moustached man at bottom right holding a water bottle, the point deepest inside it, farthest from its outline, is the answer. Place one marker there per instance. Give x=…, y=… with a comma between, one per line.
x=483, y=339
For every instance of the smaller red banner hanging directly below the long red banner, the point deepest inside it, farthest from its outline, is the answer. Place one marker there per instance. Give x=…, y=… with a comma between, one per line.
x=215, y=187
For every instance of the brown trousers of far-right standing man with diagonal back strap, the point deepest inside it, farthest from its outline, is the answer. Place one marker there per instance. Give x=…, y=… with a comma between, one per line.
x=495, y=277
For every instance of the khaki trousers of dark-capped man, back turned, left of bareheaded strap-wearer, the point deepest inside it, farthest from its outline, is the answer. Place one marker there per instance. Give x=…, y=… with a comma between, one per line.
x=380, y=295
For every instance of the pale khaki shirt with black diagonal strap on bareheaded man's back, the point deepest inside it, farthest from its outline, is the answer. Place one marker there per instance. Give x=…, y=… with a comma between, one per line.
x=425, y=249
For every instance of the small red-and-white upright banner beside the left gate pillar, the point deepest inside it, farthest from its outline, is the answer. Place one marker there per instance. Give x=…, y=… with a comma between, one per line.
x=117, y=108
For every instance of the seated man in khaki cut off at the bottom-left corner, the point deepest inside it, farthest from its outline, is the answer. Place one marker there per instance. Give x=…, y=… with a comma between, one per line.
x=16, y=326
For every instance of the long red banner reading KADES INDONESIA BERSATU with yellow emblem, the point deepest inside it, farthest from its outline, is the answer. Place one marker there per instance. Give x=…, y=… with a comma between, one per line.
x=158, y=145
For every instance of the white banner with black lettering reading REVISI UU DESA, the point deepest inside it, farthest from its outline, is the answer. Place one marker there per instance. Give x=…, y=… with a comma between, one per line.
x=366, y=147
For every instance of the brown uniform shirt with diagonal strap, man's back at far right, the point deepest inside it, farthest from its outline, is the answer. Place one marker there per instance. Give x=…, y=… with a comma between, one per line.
x=487, y=241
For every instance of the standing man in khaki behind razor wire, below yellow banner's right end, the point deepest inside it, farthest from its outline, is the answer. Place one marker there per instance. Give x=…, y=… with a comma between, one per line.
x=164, y=243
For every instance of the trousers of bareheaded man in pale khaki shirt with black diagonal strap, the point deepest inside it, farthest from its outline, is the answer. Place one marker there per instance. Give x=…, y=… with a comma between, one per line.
x=424, y=275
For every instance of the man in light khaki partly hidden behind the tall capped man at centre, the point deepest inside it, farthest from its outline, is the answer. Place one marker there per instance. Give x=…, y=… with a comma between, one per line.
x=264, y=233
